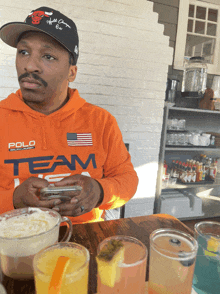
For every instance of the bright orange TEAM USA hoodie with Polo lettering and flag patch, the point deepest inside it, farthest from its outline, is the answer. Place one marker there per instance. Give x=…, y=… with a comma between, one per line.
x=34, y=144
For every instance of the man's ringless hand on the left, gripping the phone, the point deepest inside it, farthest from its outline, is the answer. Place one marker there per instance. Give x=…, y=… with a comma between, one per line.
x=27, y=194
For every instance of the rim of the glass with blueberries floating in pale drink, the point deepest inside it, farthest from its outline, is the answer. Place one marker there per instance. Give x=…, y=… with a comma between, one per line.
x=167, y=253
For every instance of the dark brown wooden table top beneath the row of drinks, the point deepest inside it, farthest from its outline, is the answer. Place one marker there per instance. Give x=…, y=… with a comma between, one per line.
x=90, y=235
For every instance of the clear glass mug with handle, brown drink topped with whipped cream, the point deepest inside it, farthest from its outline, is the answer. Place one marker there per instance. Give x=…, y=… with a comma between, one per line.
x=23, y=233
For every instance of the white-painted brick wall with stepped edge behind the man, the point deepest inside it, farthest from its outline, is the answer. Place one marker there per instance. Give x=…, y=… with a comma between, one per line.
x=122, y=67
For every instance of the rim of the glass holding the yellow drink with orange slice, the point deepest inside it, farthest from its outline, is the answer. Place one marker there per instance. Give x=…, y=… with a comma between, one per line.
x=57, y=245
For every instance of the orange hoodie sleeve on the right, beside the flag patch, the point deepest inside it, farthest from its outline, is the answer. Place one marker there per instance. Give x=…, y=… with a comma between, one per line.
x=120, y=180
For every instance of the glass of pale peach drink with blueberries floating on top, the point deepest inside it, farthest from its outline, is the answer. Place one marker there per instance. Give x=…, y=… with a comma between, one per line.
x=172, y=262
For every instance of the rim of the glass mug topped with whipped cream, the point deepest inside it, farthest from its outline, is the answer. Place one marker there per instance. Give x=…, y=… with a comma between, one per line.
x=26, y=210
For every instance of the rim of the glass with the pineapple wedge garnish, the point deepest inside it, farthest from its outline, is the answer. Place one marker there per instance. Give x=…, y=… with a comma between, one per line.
x=127, y=238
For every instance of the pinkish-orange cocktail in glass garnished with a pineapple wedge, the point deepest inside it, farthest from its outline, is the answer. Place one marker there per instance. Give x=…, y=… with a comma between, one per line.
x=122, y=265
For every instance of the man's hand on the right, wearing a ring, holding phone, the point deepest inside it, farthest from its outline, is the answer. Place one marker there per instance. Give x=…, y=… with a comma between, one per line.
x=83, y=201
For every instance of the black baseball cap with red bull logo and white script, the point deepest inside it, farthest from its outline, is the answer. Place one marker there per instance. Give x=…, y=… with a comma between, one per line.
x=48, y=21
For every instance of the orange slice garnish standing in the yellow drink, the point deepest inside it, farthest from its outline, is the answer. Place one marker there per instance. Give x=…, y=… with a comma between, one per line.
x=57, y=276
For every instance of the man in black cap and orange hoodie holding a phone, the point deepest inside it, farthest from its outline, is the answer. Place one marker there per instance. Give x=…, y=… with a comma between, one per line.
x=50, y=135
